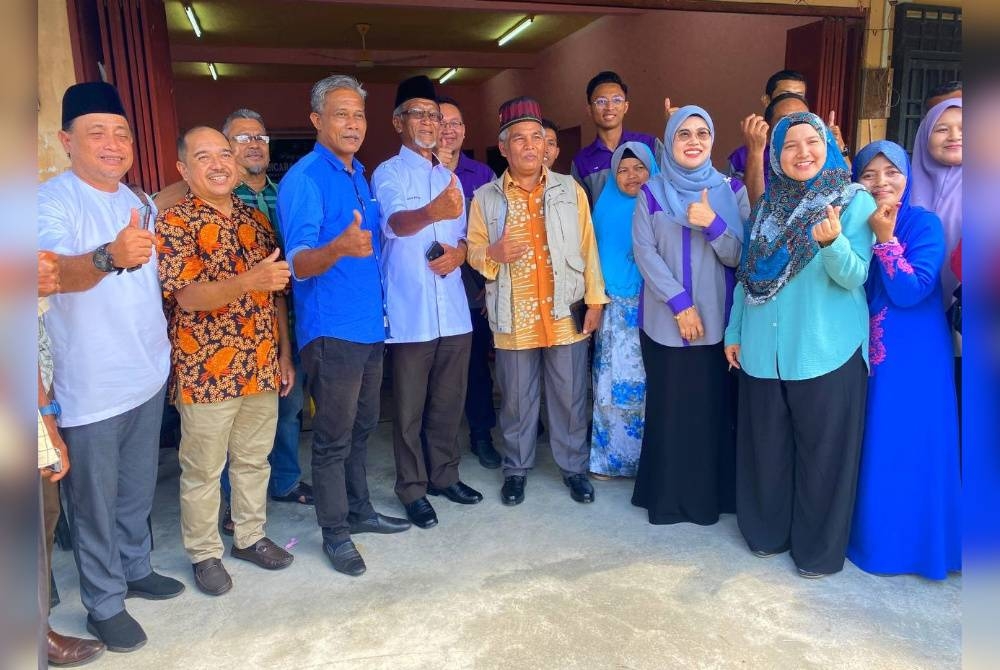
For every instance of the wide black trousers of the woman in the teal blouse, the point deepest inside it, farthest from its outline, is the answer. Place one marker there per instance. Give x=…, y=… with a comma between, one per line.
x=798, y=449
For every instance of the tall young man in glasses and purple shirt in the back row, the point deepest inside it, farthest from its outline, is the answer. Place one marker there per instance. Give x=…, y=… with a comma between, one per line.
x=607, y=100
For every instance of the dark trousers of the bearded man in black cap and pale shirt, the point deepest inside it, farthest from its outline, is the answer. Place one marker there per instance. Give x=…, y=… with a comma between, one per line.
x=428, y=385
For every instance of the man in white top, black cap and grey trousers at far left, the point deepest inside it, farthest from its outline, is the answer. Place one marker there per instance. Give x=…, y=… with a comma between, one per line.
x=111, y=355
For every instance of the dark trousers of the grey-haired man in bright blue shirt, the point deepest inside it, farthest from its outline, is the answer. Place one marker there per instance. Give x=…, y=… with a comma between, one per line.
x=344, y=379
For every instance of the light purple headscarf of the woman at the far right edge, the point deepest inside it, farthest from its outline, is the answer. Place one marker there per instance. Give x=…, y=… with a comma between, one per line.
x=938, y=187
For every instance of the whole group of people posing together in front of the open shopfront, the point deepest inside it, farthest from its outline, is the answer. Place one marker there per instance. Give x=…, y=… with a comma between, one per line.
x=773, y=345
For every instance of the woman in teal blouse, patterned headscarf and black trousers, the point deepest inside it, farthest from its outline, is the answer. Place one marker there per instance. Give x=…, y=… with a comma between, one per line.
x=799, y=332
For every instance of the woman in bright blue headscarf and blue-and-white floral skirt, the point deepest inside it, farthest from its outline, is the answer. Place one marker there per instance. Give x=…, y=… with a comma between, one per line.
x=619, y=379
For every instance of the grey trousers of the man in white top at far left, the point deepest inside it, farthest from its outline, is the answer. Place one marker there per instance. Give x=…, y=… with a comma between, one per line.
x=109, y=494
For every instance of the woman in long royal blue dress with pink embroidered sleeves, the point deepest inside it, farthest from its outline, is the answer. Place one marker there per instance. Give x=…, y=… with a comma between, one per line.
x=907, y=517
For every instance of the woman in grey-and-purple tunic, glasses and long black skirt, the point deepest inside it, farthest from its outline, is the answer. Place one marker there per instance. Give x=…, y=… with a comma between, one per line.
x=687, y=233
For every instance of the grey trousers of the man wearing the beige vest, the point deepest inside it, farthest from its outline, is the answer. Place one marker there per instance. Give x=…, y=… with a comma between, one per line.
x=519, y=374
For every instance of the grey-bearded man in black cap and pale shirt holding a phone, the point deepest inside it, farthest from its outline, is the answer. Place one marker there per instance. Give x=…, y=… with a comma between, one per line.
x=423, y=221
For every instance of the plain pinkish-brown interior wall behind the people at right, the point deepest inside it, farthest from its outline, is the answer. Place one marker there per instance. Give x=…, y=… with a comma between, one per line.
x=719, y=61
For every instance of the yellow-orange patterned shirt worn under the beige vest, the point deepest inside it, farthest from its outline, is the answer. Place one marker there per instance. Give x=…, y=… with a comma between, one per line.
x=533, y=286
